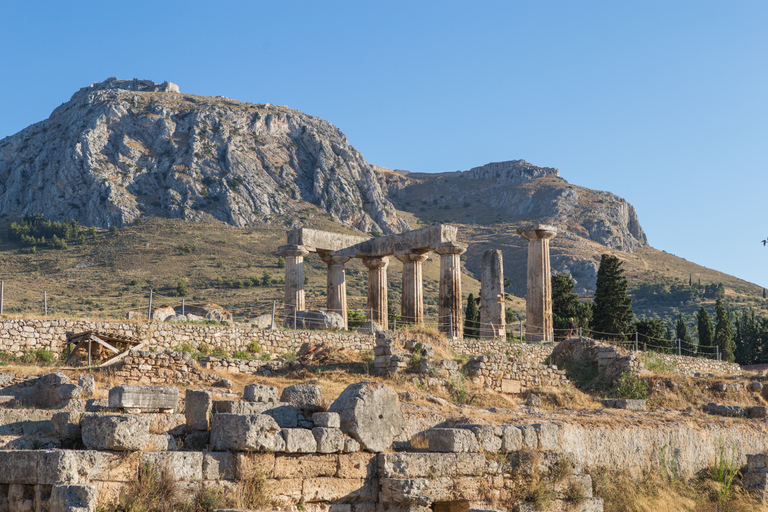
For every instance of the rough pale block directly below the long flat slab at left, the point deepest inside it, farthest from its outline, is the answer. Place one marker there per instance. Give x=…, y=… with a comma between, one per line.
x=114, y=432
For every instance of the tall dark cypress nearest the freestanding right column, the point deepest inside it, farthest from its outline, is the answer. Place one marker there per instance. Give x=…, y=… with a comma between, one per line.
x=612, y=311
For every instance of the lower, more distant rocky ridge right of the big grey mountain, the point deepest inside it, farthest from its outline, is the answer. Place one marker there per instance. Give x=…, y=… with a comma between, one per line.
x=517, y=191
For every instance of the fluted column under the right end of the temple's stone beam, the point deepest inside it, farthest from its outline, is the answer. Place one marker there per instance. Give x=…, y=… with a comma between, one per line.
x=450, y=287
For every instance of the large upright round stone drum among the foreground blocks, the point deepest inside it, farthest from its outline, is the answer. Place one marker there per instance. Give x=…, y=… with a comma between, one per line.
x=370, y=413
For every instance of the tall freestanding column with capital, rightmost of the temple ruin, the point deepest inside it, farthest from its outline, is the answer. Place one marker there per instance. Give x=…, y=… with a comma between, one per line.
x=538, y=322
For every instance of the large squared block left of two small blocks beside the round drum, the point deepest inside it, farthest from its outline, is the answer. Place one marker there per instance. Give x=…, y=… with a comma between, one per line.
x=245, y=432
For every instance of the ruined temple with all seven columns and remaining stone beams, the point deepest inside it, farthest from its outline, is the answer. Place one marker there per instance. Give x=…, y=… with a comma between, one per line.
x=413, y=248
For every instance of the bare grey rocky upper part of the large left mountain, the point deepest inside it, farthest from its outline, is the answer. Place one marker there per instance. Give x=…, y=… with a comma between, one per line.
x=120, y=150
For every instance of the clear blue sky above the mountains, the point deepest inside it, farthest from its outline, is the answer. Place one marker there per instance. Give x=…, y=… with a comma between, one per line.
x=663, y=103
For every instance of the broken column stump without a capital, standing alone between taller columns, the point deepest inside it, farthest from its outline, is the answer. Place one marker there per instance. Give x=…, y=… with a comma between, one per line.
x=492, y=322
